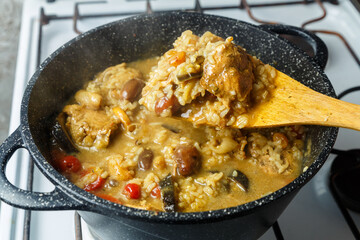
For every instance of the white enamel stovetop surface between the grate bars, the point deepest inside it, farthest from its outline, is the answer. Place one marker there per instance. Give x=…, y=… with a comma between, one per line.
x=313, y=214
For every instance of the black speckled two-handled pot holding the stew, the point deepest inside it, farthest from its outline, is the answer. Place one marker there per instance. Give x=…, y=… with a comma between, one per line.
x=75, y=63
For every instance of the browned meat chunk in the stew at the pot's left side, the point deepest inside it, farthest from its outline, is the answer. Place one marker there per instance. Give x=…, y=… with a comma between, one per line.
x=89, y=128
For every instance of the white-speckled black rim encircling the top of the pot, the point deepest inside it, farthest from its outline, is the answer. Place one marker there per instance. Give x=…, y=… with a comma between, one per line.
x=90, y=202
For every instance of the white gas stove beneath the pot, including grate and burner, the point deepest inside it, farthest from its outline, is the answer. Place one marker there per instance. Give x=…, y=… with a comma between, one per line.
x=46, y=25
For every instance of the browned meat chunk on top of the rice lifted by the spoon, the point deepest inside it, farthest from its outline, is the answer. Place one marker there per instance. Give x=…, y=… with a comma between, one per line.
x=228, y=72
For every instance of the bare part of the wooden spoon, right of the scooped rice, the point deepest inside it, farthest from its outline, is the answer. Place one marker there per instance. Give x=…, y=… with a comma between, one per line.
x=294, y=103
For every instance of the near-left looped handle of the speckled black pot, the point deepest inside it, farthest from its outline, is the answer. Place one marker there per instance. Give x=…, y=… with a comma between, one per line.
x=12, y=195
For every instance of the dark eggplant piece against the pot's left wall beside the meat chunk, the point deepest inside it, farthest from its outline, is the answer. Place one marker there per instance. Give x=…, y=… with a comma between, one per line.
x=61, y=135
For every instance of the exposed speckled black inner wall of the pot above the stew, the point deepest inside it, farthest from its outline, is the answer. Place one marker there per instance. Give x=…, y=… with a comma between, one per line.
x=74, y=64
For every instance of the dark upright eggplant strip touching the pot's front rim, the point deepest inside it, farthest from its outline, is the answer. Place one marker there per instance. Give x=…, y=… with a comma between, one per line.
x=168, y=193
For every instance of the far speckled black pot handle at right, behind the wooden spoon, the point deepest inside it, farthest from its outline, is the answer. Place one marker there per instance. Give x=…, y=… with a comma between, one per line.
x=320, y=49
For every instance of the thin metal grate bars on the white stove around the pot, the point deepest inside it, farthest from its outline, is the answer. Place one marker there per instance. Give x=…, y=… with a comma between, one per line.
x=46, y=19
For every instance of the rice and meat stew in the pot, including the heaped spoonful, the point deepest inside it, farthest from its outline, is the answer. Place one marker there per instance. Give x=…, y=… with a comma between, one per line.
x=124, y=137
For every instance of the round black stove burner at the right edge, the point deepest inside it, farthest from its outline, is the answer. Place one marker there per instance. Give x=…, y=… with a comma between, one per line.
x=345, y=176
